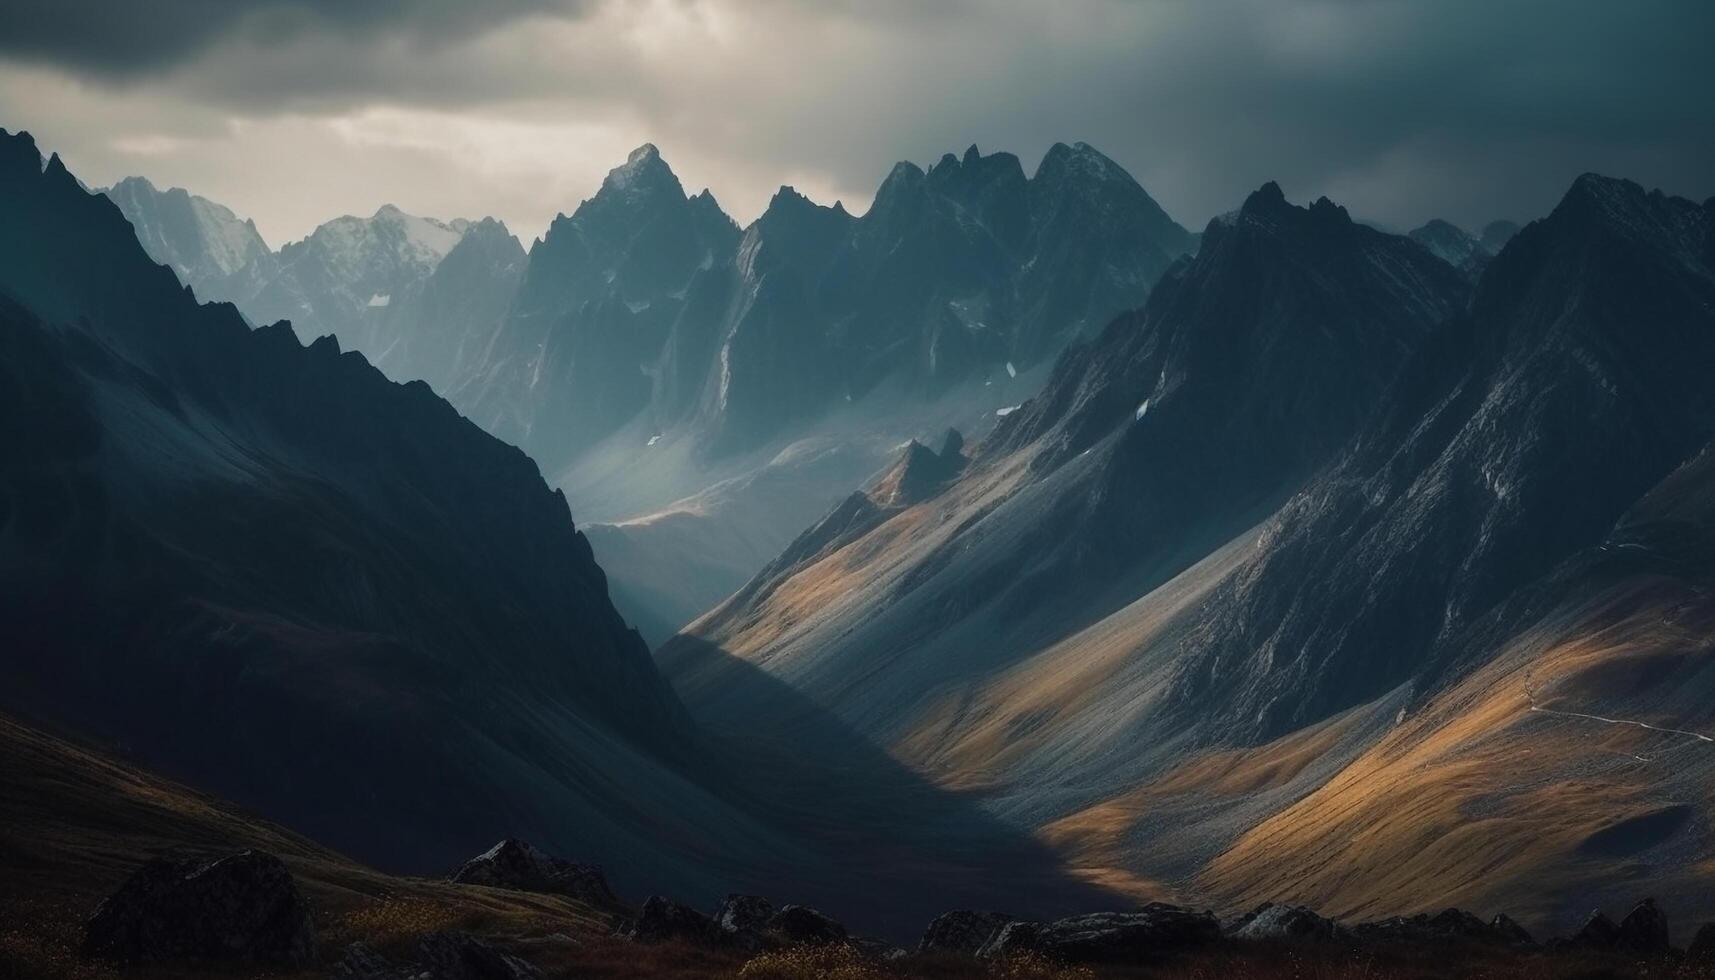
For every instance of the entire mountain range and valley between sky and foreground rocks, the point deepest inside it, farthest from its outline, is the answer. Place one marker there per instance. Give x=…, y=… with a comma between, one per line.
x=1292, y=560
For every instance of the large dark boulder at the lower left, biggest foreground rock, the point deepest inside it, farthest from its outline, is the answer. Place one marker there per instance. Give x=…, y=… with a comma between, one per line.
x=236, y=909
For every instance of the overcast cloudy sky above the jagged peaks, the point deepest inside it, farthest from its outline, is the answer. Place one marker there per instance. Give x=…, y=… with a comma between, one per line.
x=299, y=111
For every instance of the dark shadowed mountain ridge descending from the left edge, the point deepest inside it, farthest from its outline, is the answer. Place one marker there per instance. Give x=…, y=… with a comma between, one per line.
x=274, y=572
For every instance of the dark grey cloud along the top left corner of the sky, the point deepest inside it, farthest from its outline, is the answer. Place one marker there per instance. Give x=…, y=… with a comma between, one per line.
x=128, y=37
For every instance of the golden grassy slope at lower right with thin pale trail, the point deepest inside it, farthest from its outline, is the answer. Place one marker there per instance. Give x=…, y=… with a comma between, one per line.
x=1489, y=801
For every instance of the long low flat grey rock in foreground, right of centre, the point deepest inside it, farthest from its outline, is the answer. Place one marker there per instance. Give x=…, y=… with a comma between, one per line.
x=1140, y=936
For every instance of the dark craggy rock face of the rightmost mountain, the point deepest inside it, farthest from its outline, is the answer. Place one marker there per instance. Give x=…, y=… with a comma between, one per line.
x=1517, y=439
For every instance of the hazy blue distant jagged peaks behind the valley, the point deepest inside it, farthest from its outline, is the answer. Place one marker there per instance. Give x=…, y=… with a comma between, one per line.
x=687, y=382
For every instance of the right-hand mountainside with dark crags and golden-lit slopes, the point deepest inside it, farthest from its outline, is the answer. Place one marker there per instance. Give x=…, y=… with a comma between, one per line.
x=1325, y=578
